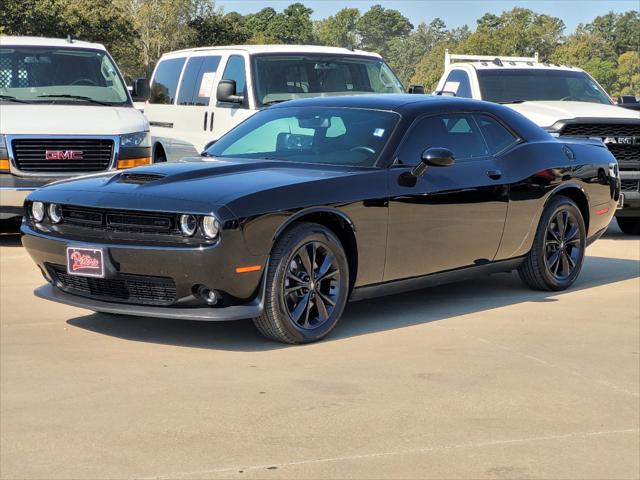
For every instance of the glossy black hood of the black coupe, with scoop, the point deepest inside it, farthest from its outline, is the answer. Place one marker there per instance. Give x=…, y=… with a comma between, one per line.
x=198, y=186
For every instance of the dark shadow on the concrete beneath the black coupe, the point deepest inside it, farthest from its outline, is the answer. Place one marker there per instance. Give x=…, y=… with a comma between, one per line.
x=365, y=317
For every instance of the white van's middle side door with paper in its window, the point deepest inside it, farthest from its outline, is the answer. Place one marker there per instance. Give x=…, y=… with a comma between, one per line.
x=193, y=122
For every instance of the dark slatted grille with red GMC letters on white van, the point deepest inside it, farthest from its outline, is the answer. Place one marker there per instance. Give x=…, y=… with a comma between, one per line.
x=64, y=156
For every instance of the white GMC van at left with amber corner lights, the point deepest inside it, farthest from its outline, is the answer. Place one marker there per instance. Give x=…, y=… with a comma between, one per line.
x=64, y=111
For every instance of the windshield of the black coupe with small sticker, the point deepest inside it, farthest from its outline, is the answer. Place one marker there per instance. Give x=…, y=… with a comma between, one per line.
x=330, y=136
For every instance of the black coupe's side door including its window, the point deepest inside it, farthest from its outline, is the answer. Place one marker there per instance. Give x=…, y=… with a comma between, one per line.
x=452, y=216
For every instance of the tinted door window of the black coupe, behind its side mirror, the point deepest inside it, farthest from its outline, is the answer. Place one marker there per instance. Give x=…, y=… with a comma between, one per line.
x=458, y=132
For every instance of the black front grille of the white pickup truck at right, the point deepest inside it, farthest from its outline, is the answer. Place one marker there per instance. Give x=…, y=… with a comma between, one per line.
x=624, y=153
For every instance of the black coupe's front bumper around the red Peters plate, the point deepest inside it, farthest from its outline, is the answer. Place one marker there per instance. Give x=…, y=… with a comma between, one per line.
x=186, y=267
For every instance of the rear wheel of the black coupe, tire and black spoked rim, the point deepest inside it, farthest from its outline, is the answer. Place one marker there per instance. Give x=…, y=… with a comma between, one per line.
x=557, y=254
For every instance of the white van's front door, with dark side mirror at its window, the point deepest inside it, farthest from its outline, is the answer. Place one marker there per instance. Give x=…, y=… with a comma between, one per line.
x=226, y=114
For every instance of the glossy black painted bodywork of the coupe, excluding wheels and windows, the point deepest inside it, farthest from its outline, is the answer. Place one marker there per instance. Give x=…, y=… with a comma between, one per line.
x=459, y=218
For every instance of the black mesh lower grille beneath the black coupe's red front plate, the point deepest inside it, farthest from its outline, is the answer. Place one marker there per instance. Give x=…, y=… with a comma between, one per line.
x=124, y=288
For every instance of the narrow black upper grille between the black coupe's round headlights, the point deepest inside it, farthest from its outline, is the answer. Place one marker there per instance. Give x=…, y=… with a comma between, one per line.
x=123, y=220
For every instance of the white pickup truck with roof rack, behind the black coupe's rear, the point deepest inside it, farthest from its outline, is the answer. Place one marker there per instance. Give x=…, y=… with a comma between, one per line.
x=565, y=101
